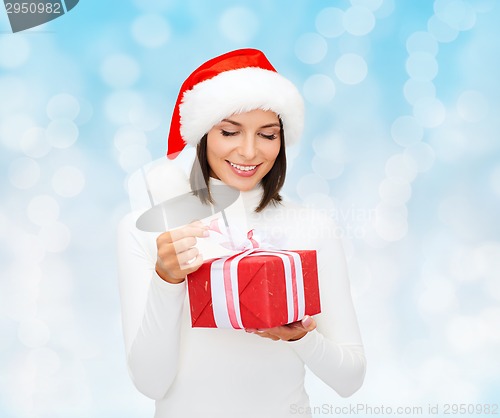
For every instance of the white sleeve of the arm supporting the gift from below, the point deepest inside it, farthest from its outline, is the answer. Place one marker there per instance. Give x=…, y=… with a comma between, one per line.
x=334, y=351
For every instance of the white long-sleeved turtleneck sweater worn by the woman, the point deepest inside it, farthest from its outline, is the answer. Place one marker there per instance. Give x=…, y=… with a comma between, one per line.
x=196, y=372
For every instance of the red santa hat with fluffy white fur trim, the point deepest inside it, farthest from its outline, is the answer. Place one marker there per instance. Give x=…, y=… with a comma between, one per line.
x=236, y=82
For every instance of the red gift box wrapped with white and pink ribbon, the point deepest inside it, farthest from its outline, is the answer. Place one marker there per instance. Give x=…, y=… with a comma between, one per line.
x=254, y=289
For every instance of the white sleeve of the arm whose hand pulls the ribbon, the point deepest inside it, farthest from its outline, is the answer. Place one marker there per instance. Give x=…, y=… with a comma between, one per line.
x=151, y=313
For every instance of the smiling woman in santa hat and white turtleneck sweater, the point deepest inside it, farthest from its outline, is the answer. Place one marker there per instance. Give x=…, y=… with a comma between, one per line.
x=240, y=114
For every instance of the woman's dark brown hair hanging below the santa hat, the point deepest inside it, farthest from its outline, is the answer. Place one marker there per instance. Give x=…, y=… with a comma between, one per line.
x=272, y=182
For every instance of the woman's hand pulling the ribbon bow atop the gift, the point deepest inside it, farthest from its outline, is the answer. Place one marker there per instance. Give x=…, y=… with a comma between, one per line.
x=177, y=255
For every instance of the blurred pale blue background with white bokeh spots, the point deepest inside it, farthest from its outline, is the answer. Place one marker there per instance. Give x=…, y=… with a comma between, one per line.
x=401, y=146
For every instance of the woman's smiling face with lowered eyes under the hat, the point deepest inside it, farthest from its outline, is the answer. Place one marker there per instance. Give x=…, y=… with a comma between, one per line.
x=242, y=148
